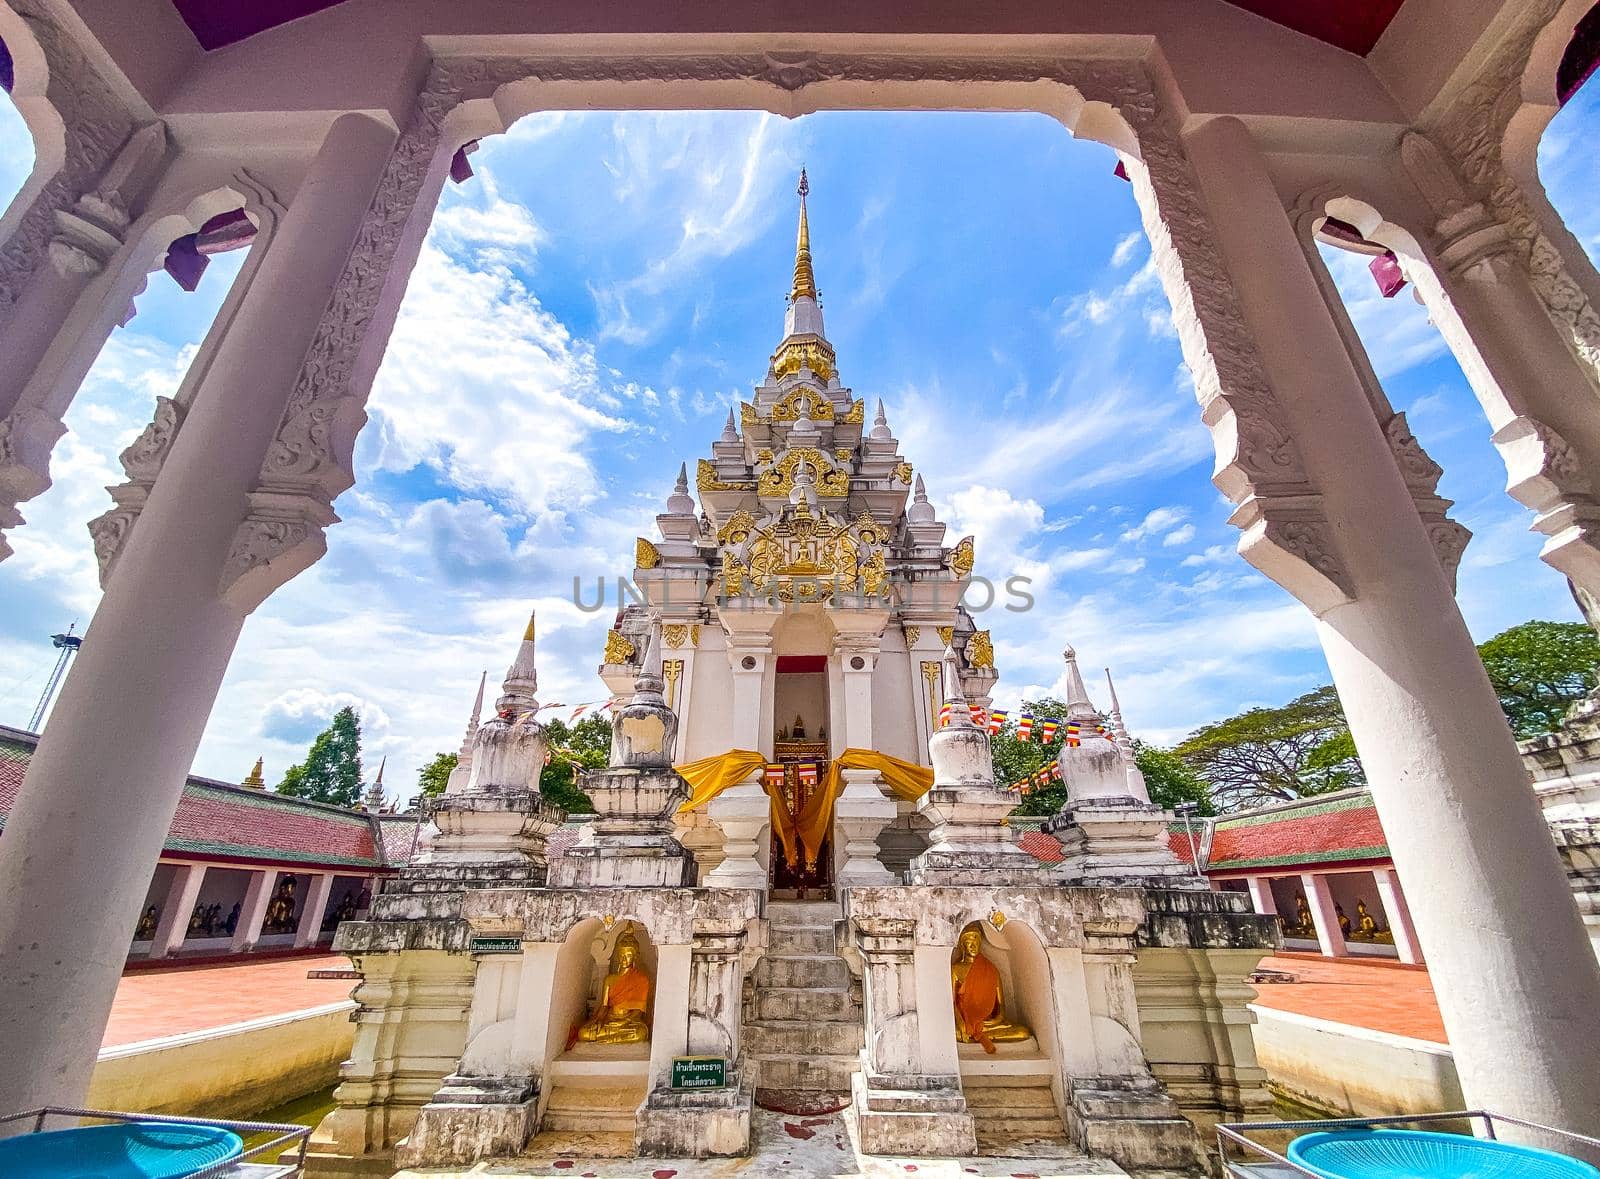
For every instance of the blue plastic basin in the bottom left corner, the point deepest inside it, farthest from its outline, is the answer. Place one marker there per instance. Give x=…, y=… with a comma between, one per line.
x=126, y=1151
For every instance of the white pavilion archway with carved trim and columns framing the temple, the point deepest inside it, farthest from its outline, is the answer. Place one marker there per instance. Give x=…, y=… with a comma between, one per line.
x=1414, y=121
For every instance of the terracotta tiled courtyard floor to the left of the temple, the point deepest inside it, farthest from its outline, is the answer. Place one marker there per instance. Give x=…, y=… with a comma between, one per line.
x=158, y=1004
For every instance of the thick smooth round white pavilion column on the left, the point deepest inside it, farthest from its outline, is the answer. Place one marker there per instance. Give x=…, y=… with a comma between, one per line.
x=105, y=781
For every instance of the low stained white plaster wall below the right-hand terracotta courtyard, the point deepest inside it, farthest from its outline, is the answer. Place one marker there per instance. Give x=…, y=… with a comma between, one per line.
x=1354, y=1069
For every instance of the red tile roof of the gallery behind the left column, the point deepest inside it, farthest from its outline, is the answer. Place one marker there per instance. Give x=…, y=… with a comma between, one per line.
x=231, y=823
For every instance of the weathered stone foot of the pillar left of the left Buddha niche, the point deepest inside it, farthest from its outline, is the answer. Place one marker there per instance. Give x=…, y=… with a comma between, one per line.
x=470, y=1121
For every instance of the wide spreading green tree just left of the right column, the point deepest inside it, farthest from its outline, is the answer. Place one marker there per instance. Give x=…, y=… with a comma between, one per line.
x=1266, y=756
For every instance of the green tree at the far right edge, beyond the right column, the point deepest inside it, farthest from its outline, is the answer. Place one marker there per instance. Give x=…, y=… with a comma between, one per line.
x=1540, y=671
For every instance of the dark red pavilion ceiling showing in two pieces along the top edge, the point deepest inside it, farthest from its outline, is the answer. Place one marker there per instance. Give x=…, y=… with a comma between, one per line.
x=1350, y=25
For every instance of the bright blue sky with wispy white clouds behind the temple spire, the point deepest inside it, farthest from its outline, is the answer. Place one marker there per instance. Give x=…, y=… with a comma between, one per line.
x=594, y=300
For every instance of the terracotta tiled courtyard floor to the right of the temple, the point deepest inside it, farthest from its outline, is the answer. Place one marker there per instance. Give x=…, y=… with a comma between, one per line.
x=1382, y=996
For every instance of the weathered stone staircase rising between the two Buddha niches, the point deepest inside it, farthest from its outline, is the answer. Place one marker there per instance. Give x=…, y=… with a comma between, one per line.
x=804, y=1029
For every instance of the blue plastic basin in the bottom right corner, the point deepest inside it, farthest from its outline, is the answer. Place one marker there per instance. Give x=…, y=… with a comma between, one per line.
x=1417, y=1154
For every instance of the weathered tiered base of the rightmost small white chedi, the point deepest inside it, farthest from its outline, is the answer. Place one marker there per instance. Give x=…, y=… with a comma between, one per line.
x=1118, y=842
